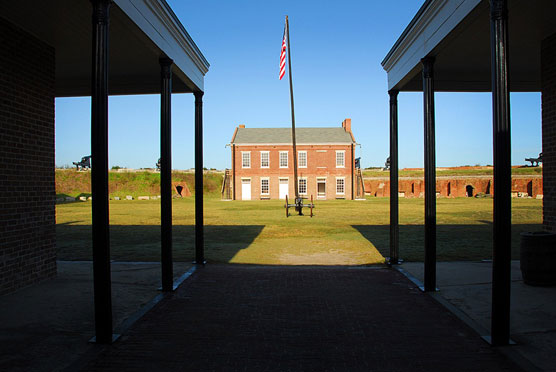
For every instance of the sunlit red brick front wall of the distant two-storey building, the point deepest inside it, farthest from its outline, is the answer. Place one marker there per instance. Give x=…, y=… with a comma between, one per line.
x=321, y=166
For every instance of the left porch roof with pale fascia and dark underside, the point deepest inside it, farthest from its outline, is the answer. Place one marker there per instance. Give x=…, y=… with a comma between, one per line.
x=141, y=31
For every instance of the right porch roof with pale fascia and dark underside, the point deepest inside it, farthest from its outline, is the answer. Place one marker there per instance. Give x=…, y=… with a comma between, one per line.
x=457, y=34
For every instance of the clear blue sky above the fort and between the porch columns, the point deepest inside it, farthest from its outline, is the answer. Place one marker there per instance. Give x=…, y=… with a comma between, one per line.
x=336, y=51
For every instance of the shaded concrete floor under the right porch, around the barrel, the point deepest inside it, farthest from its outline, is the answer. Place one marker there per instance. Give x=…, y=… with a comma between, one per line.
x=467, y=286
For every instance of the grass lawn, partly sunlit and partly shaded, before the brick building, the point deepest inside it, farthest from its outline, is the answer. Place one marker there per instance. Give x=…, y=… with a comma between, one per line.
x=257, y=232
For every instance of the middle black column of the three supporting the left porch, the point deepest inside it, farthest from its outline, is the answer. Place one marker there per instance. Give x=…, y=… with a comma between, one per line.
x=166, y=173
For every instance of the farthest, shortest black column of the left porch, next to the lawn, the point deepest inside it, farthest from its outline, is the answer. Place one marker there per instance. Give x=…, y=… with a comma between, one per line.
x=199, y=227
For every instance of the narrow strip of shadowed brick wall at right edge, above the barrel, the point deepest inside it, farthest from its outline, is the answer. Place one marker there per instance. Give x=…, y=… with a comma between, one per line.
x=548, y=77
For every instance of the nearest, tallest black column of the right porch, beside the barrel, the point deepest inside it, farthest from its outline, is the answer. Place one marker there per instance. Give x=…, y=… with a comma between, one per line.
x=501, y=254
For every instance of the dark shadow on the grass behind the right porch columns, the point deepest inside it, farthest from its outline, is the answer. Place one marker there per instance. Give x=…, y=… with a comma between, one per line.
x=453, y=242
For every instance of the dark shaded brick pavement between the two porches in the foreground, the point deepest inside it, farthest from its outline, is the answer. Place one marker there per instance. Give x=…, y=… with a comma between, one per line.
x=253, y=318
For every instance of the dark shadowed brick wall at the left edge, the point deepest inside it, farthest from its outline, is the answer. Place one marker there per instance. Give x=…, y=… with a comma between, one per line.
x=27, y=186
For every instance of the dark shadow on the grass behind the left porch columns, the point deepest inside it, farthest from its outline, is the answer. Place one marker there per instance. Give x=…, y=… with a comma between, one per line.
x=142, y=243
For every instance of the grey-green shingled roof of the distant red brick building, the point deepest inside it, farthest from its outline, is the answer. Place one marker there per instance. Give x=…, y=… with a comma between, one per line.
x=284, y=136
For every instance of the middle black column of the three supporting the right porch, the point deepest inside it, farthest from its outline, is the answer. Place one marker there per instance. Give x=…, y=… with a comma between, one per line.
x=430, y=175
